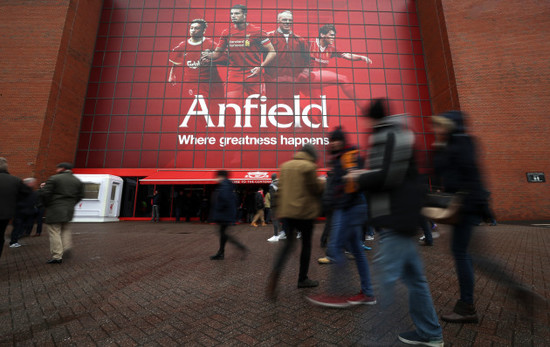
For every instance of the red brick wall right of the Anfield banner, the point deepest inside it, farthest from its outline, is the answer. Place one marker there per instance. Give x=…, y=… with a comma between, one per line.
x=497, y=57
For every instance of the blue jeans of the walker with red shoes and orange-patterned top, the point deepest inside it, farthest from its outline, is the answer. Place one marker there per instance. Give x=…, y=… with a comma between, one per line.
x=346, y=233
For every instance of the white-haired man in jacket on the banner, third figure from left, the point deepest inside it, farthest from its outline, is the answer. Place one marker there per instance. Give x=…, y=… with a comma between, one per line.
x=291, y=64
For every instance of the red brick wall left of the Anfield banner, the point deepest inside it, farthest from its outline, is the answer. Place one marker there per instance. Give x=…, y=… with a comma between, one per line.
x=47, y=47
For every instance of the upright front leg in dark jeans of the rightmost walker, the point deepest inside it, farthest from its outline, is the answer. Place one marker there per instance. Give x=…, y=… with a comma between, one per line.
x=462, y=233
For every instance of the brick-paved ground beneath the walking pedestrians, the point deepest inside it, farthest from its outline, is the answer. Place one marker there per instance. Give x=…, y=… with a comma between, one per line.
x=139, y=283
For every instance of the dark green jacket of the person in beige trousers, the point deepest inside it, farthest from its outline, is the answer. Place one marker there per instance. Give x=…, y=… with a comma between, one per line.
x=60, y=195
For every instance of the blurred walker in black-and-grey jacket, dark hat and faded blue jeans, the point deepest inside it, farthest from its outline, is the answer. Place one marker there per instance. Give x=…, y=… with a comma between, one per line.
x=395, y=195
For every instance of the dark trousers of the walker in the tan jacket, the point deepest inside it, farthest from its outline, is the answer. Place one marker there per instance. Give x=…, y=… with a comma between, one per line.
x=291, y=226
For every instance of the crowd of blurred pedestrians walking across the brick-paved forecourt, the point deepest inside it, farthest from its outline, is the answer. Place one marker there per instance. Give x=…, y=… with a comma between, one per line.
x=382, y=192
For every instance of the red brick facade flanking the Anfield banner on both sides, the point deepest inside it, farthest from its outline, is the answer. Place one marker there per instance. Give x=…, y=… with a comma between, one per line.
x=488, y=58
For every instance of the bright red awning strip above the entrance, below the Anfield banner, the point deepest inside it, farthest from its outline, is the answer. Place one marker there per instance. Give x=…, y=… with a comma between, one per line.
x=206, y=177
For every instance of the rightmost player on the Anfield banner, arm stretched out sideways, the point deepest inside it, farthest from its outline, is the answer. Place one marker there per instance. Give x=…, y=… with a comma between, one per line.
x=322, y=50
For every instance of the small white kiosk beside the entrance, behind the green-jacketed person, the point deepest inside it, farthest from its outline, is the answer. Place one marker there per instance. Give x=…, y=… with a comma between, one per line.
x=102, y=197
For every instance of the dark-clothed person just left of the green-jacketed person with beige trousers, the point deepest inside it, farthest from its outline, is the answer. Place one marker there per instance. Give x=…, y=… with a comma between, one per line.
x=25, y=214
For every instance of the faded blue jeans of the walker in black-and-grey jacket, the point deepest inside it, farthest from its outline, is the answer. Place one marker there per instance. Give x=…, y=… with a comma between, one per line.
x=399, y=259
